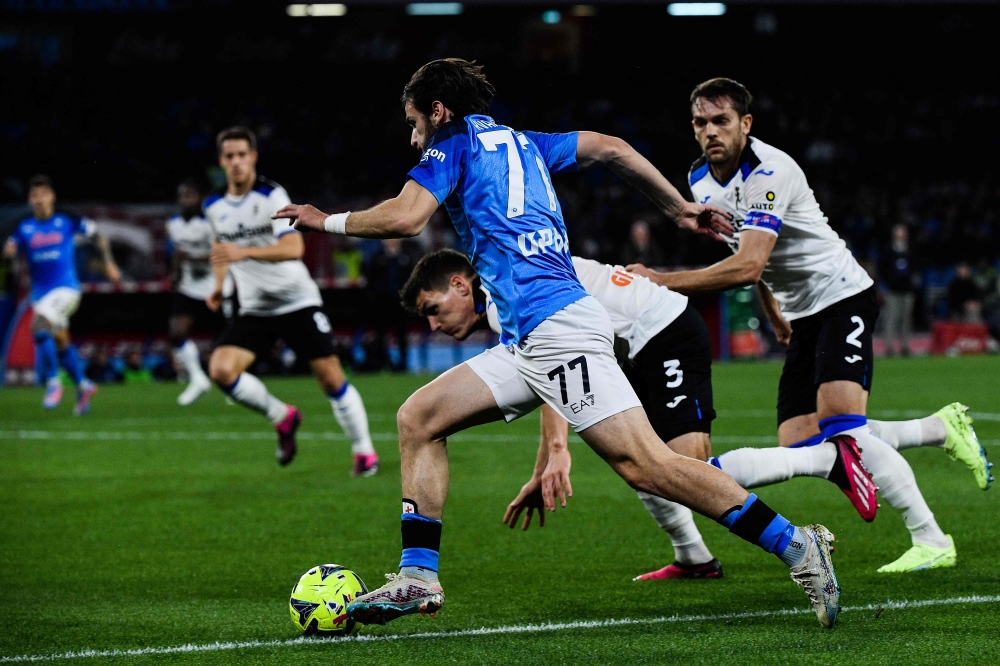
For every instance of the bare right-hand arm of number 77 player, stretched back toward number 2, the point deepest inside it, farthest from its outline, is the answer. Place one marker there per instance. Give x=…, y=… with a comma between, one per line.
x=623, y=160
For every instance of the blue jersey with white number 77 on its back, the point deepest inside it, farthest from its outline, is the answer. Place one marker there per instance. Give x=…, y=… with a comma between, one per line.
x=495, y=184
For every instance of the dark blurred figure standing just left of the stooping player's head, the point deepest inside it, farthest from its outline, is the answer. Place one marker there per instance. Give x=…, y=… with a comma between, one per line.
x=386, y=272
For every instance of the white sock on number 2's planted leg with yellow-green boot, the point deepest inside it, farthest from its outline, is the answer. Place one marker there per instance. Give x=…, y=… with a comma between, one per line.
x=898, y=487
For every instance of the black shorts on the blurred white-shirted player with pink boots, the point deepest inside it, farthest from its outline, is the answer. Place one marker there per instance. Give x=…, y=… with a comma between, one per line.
x=306, y=331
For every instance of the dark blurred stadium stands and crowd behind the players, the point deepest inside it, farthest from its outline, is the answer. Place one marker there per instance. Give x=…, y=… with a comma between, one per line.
x=889, y=107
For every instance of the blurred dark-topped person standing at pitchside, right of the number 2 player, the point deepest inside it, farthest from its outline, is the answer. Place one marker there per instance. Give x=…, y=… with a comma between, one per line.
x=896, y=271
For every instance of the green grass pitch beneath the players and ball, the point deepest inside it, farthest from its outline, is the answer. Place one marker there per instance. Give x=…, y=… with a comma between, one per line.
x=145, y=525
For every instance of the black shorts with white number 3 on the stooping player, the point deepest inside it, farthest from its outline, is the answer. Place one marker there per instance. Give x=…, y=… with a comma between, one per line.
x=672, y=375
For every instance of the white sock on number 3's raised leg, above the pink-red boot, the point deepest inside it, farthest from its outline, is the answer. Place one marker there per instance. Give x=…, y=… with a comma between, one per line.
x=752, y=468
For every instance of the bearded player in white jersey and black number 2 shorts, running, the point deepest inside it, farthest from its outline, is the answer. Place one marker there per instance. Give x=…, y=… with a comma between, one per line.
x=822, y=305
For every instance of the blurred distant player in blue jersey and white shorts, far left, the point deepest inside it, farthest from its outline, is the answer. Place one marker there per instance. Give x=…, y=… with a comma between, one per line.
x=47, y=239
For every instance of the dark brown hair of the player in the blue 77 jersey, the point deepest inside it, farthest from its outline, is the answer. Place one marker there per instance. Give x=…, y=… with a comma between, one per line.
x=458, y=84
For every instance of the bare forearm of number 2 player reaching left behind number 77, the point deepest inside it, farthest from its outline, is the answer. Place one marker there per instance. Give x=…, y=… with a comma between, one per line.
x=742, y=269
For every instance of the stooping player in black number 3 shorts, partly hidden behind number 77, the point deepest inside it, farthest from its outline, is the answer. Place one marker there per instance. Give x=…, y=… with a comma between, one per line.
x=669, y=364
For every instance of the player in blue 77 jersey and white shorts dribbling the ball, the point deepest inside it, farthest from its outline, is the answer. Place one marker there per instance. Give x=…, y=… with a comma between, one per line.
x=496, y=186
